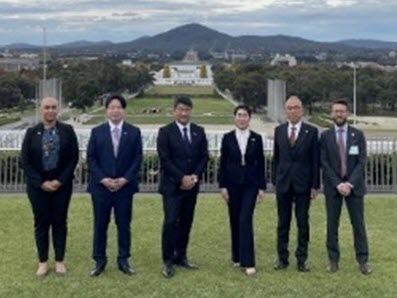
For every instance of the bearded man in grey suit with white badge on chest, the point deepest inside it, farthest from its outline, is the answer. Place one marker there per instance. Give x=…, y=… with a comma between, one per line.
x=343, y=160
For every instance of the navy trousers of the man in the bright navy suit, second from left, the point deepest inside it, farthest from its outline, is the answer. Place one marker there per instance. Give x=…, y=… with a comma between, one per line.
x=102, y=207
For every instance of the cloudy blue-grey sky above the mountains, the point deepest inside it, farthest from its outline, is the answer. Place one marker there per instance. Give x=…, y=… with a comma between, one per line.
x=125, y=20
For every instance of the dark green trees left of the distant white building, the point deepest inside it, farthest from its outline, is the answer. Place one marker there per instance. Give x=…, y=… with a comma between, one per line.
x=82, y=82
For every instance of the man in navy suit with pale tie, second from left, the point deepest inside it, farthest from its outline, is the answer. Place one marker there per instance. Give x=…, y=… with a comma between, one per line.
x=114, y=157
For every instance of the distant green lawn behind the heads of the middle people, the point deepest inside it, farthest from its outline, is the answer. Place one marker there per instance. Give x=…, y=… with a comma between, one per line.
x=205, y=111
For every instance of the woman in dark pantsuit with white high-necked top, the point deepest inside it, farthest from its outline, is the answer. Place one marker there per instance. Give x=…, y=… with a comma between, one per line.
x=242, y=183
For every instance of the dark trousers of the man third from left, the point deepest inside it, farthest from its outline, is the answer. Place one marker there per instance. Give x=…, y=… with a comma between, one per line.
x=178, y=219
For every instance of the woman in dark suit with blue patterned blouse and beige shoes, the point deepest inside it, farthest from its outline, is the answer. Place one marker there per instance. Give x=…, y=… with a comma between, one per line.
x=49, y=156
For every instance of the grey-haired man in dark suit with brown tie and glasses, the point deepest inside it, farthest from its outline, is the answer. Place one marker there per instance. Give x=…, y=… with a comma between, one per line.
x=296, y=179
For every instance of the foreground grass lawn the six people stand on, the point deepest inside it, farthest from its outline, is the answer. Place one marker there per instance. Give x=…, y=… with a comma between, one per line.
x=209, y=248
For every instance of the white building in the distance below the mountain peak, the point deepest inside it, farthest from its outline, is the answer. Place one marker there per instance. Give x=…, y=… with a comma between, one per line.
x=190, y=71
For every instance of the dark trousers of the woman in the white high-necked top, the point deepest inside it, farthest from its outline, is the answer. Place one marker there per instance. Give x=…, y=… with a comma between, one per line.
x=241, y=205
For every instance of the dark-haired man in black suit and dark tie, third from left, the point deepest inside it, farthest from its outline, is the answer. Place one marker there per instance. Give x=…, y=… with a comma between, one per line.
x=183, y=153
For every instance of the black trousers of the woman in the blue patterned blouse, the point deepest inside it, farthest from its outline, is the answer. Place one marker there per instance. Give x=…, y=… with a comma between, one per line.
x=50, y=211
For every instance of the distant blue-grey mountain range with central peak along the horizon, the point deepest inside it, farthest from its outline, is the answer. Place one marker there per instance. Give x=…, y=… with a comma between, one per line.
x=202, y=38
